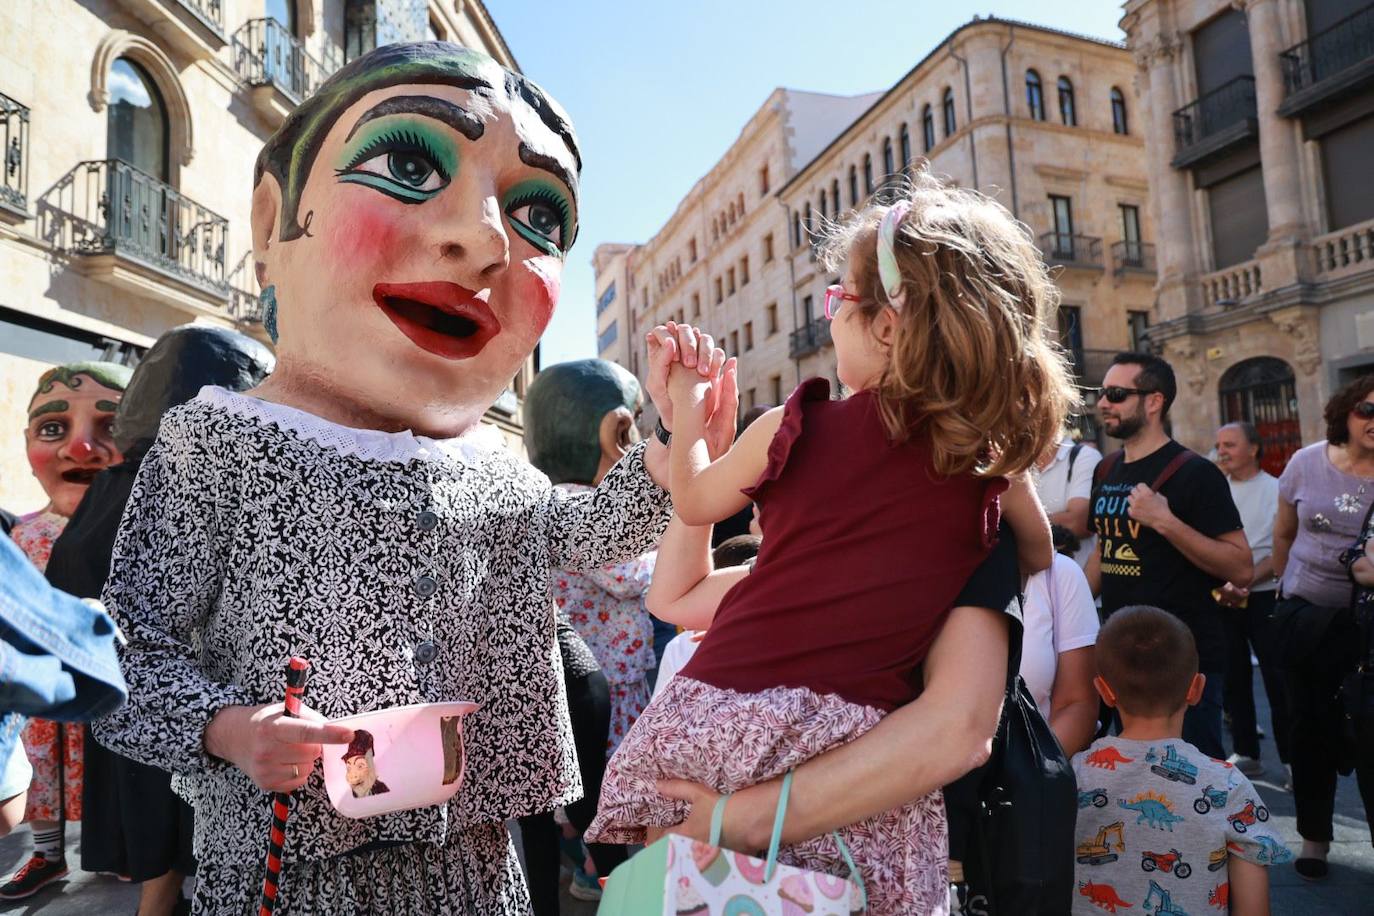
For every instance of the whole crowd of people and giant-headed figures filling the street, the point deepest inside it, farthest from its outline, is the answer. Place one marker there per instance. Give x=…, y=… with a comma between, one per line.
x=836, y=627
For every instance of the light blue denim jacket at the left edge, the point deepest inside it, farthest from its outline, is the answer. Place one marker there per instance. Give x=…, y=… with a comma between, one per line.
x=57, y=653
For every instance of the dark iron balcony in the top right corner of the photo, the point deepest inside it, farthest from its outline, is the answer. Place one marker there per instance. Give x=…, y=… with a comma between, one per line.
x=1329, y=65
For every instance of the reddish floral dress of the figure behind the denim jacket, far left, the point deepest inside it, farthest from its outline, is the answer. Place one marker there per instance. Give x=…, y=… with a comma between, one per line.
x=54, y=749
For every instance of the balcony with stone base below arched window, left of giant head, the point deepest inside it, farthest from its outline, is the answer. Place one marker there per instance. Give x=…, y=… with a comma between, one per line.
x=139, y=234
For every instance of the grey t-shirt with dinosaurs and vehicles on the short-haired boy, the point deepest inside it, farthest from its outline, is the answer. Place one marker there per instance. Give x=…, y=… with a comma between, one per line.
x=1158, y=825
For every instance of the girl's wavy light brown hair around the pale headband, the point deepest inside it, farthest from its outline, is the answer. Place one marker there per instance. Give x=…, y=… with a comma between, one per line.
x=975, y=363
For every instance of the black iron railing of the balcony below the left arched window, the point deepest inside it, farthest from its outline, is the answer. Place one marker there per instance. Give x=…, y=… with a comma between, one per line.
x=108, y=207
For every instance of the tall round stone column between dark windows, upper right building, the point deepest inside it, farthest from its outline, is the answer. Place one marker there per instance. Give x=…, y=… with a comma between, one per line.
x=1279, y=141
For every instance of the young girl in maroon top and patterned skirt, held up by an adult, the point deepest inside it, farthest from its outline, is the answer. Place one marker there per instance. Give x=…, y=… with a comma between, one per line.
x=875, y=510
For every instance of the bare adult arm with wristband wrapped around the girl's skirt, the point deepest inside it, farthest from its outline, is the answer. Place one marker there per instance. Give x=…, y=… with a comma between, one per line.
x=916, y=751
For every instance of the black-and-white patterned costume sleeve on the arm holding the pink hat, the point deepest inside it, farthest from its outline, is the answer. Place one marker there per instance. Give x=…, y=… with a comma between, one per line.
x=164, y=582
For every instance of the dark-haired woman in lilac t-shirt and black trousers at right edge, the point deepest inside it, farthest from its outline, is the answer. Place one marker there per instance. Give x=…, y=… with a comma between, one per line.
x=1325, y=495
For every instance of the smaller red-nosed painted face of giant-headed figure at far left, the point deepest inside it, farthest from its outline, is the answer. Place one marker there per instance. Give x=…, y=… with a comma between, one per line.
x=68, y=436
